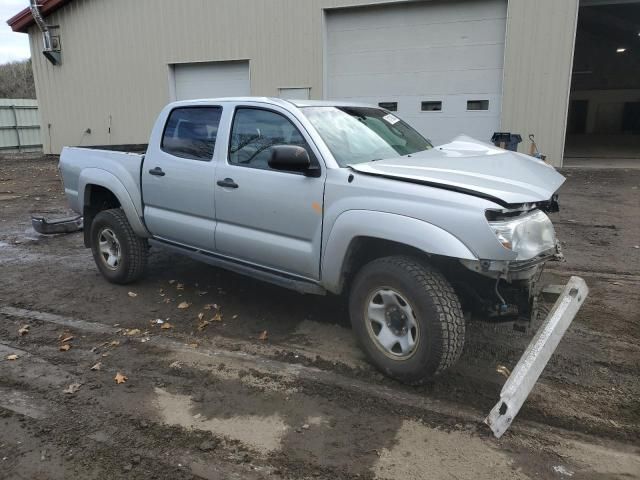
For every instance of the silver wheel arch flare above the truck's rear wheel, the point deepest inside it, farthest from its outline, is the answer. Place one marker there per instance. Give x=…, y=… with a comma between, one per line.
x=97, y=176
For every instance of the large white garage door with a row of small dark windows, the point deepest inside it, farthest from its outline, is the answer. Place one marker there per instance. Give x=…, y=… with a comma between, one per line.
x=439, y=63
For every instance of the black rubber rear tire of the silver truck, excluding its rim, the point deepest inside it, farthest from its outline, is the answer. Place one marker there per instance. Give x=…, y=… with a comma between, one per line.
x=134, y=249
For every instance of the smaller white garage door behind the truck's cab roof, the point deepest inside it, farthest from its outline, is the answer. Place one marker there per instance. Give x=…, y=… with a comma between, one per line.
x=211, y=79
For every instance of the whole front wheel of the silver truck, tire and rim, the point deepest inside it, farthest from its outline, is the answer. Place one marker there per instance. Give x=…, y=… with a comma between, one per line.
x=407, y=318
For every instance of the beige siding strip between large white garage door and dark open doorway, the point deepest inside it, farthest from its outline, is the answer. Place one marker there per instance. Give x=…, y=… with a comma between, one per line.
x=537, y=77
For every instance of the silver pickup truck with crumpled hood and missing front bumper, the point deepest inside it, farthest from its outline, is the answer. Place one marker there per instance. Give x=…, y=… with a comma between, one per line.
x=342, y=198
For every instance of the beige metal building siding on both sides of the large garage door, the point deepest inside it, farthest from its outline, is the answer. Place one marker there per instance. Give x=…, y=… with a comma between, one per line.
x=116, y=55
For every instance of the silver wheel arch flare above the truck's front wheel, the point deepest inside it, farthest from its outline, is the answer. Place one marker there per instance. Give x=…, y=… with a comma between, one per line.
x=385, y=226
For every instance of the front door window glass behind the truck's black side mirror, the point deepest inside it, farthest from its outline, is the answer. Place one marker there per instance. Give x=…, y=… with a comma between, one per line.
x=255, y=131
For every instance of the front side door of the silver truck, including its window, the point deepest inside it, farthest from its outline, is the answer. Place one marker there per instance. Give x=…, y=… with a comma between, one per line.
x=266, y=217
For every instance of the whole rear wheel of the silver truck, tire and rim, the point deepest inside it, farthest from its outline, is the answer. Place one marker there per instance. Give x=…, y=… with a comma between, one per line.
x=121, y=255
